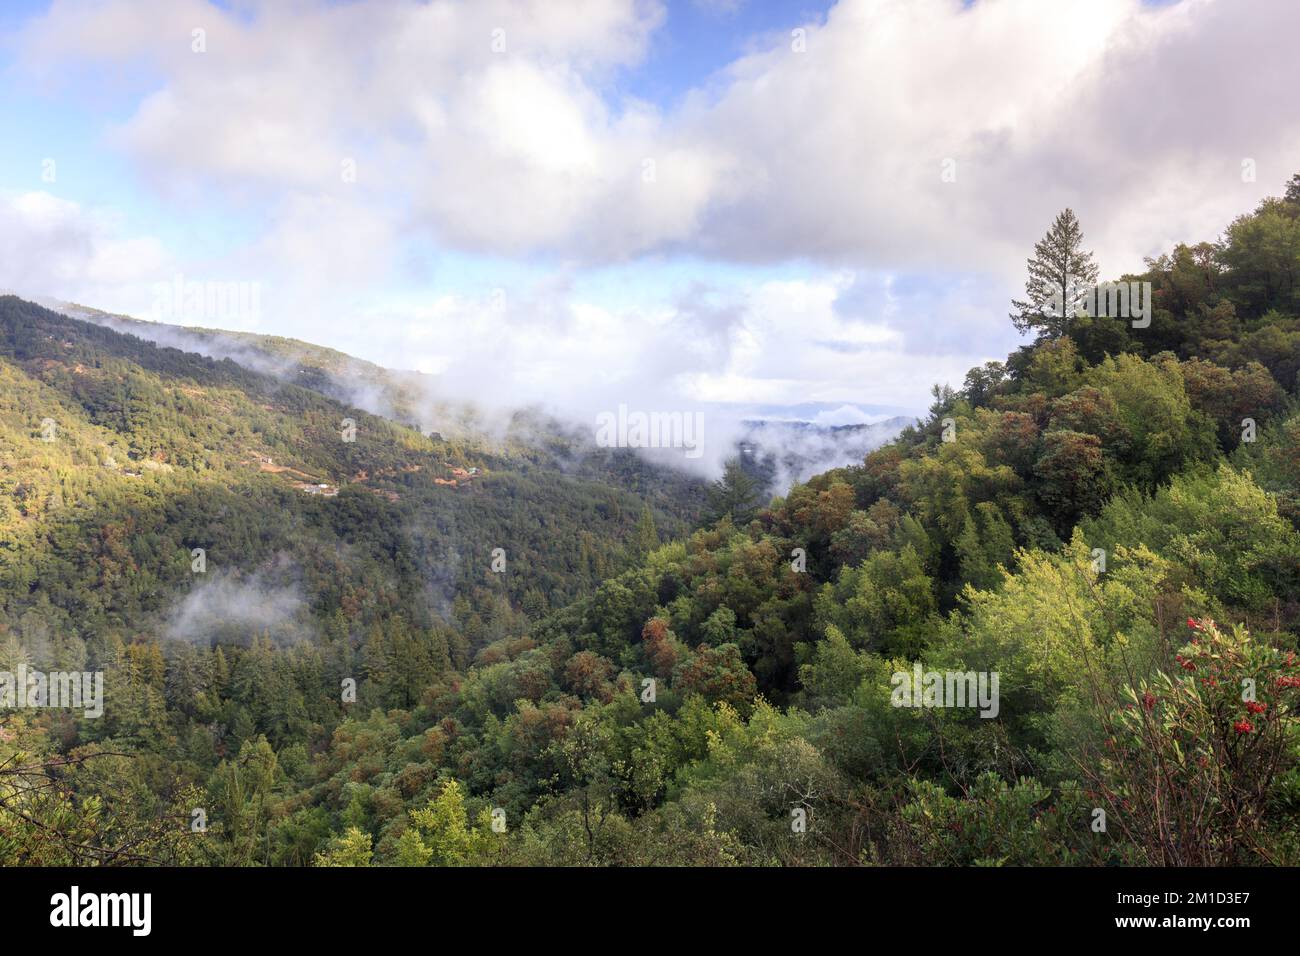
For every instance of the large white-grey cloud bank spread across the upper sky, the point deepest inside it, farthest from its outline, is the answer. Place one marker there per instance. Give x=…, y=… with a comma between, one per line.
x=1132, y=114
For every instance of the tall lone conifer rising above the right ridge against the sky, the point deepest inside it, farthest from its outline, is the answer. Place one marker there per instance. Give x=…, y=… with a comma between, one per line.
x=1059, y=271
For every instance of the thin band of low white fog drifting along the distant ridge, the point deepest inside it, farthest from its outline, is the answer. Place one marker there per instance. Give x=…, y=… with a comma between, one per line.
x=791, y=443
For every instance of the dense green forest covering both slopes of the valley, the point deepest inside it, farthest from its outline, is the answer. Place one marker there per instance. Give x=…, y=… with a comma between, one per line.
x=1110, y=522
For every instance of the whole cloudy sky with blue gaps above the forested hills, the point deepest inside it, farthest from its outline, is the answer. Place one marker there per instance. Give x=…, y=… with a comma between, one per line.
x=603, y=202
